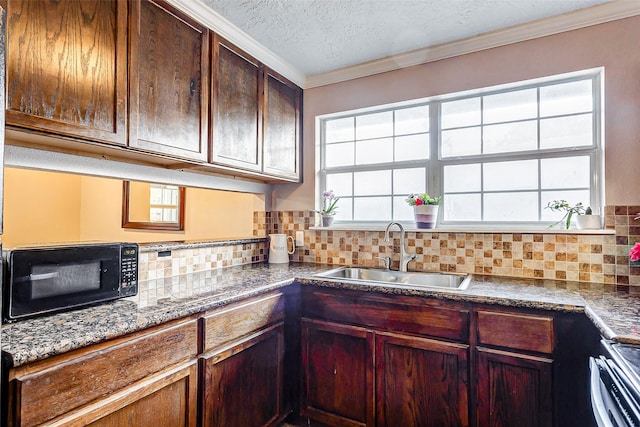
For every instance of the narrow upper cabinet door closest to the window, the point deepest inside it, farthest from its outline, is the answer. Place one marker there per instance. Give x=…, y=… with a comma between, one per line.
x=282, y=128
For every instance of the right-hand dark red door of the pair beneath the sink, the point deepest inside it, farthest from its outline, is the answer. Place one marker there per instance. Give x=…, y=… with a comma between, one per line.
x=421, y=382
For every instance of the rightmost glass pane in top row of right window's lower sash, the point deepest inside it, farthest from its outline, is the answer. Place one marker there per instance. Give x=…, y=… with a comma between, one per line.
x=565, y=172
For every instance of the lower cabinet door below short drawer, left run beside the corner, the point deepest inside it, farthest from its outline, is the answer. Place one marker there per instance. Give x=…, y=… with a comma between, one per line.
x=243, y=383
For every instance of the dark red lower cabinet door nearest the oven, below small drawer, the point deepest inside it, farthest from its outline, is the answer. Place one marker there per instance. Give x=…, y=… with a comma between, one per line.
x=514, y=389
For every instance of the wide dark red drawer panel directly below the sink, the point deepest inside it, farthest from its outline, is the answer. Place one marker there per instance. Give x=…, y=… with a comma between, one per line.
x=400, y=313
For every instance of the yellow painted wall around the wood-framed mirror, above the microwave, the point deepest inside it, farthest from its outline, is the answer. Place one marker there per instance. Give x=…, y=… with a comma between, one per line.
x=57, y=207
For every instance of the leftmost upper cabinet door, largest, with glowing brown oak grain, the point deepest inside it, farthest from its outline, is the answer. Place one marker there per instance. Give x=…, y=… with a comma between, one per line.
x=66, y=67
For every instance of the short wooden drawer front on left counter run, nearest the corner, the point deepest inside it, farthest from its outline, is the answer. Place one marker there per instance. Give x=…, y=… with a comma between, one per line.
x=228, y=324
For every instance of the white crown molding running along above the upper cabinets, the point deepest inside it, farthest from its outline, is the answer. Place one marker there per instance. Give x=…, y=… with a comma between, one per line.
x=220, y=25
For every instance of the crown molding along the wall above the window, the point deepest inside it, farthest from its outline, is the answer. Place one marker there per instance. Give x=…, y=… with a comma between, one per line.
x=606, y=12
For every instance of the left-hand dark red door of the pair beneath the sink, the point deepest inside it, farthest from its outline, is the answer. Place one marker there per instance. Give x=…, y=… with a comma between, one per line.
x=338, y=370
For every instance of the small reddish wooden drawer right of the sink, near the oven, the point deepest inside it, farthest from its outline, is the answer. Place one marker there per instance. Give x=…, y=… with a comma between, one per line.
x=516, y=331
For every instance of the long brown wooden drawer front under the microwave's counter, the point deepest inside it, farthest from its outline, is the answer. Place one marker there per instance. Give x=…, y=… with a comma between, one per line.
x=62, y=383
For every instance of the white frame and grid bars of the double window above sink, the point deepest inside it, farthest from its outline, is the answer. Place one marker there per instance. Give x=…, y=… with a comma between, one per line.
x=435, y=164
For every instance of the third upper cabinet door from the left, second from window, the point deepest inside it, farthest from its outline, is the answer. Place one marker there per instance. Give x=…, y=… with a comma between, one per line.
x=237, y=116
